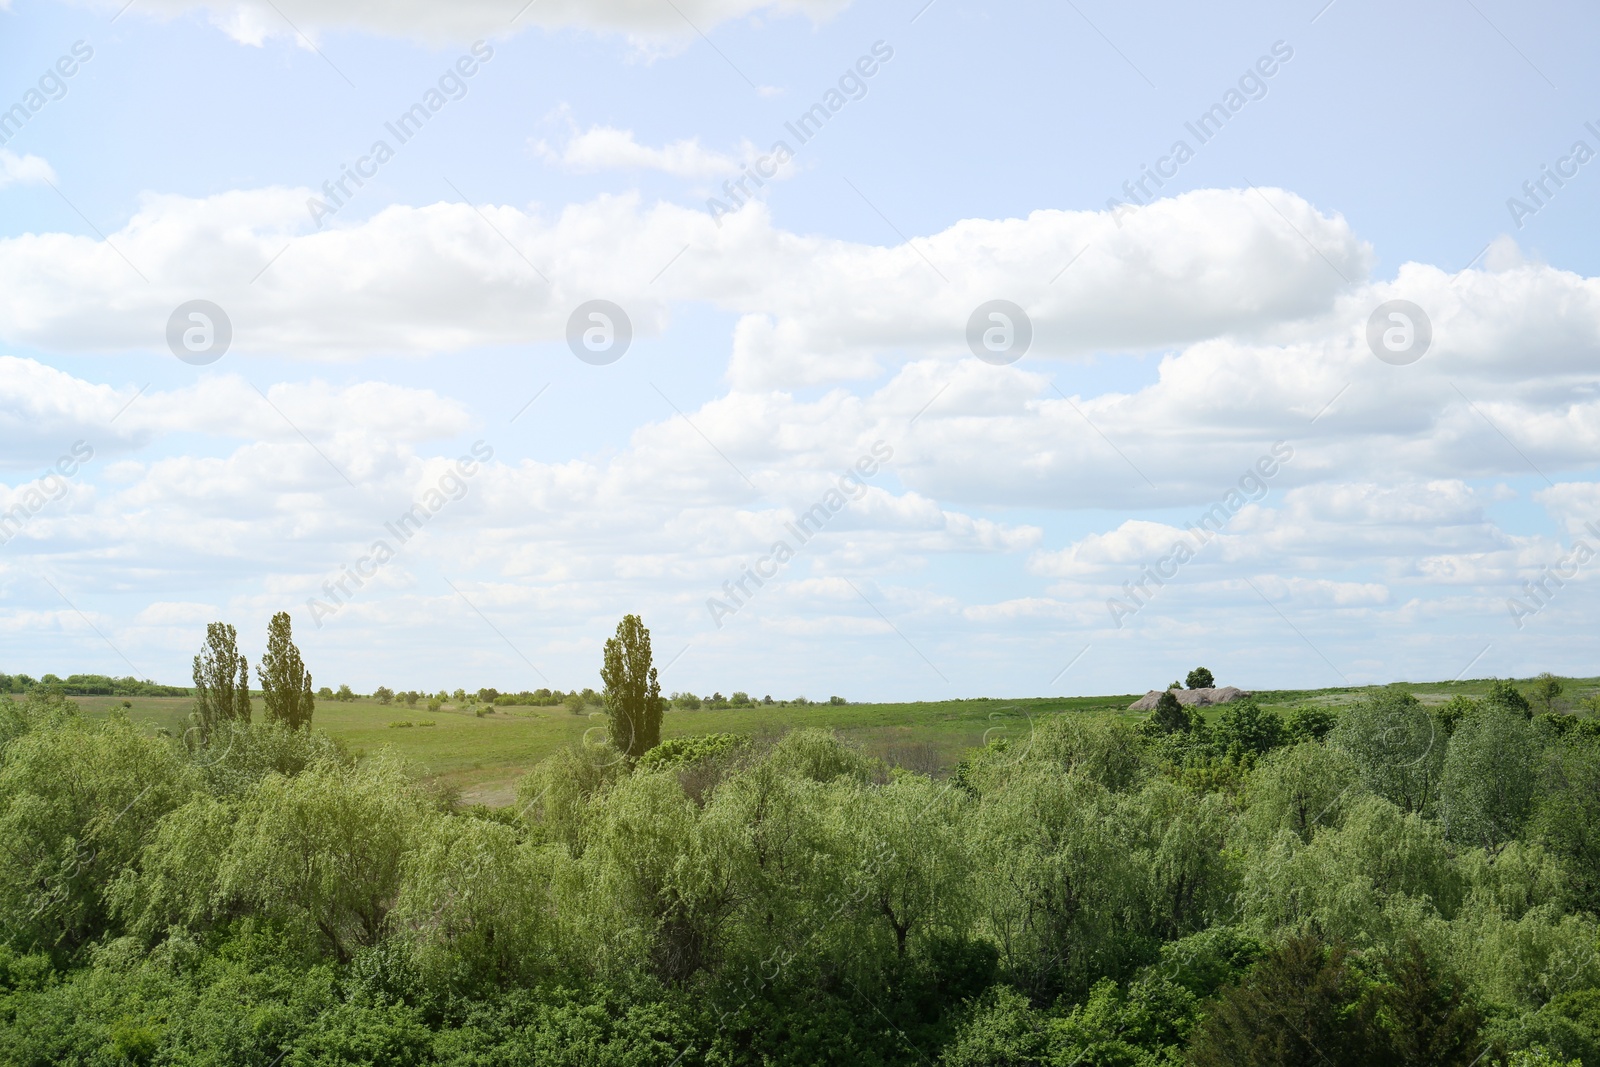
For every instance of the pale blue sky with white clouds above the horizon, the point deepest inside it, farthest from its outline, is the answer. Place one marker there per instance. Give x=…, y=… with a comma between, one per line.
x=890, y=351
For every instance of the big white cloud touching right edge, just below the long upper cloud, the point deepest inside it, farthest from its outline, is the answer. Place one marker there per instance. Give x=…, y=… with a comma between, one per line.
x=1511, y=388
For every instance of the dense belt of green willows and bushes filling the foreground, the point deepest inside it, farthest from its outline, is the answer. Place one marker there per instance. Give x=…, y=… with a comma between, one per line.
x=1394, y=885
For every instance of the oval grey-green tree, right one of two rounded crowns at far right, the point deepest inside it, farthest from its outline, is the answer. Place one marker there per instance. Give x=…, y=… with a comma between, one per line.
x=1490, y=778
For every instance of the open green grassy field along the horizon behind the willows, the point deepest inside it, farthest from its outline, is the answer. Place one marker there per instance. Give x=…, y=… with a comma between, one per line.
x=486, y=756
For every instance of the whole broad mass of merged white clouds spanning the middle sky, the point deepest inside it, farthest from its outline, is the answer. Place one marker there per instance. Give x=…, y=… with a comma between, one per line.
x=1383, y=518
